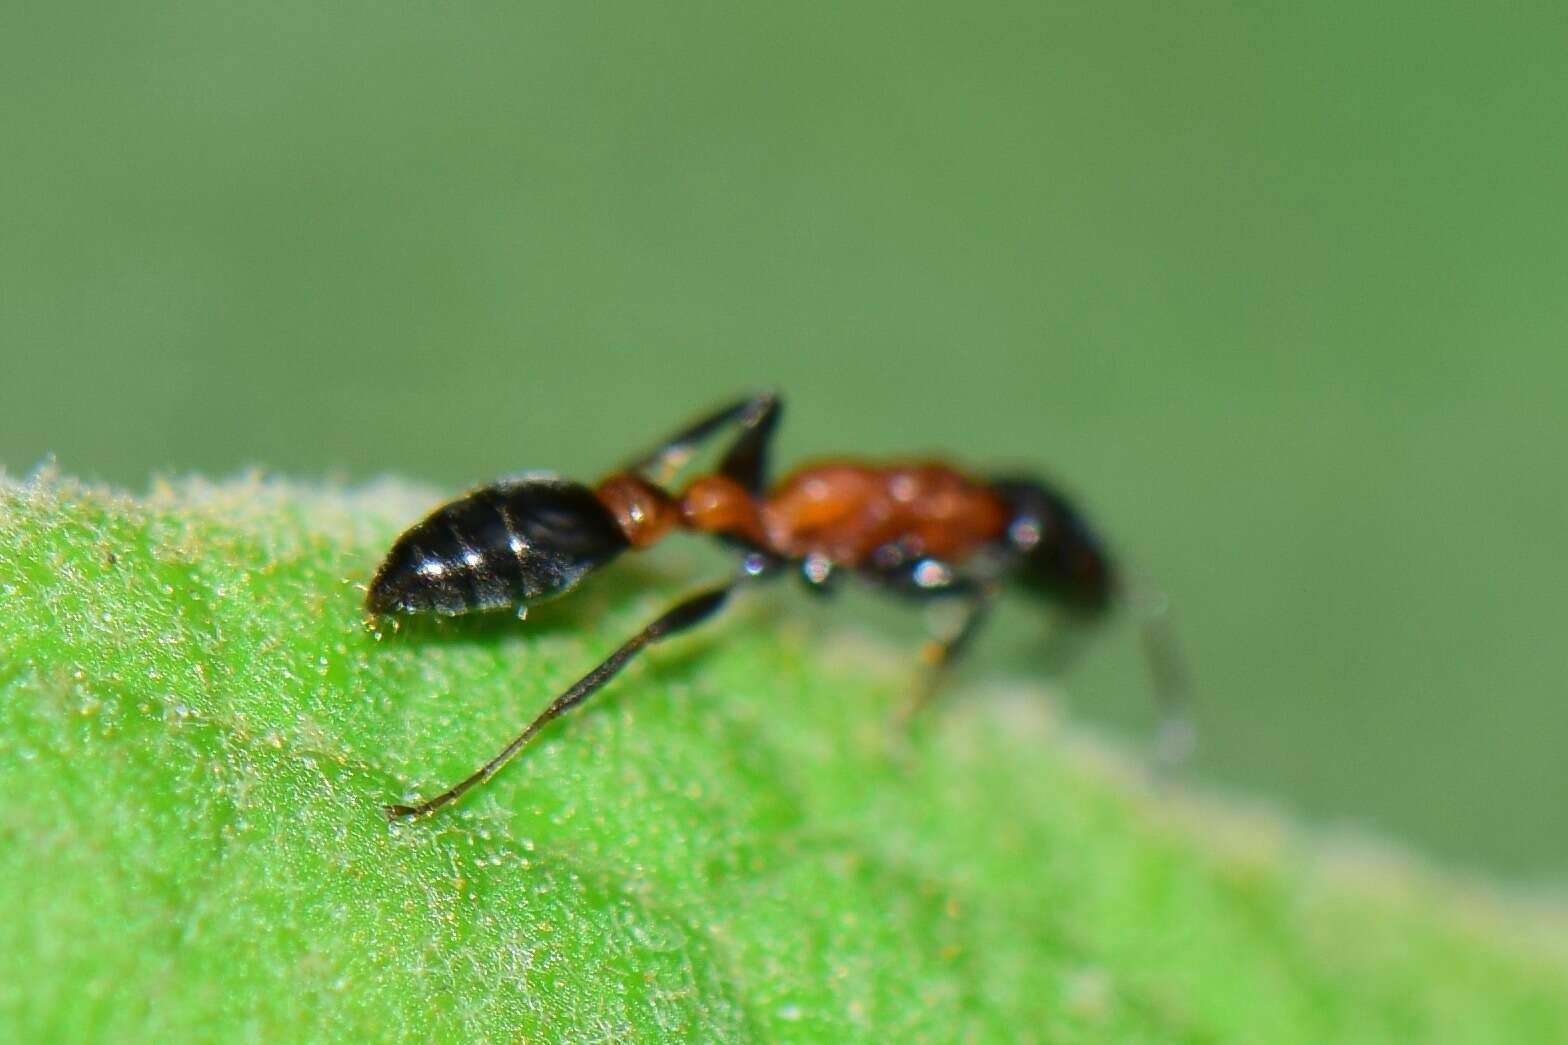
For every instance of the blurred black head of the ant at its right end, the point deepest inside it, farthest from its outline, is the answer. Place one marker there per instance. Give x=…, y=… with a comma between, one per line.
x=1059, y=556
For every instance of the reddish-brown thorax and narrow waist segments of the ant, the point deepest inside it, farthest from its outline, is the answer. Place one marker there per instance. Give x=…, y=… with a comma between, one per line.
x=841, y=511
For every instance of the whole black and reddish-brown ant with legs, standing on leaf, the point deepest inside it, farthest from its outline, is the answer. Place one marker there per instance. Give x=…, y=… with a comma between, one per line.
x=916, y=530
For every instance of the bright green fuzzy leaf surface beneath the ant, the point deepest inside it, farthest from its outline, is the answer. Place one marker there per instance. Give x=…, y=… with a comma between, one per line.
x=731, y=843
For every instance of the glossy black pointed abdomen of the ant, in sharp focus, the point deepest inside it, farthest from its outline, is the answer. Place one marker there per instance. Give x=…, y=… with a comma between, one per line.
x=510, y=544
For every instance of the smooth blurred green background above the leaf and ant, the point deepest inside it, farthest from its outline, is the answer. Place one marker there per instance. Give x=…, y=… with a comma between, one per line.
x=1277, y=289
